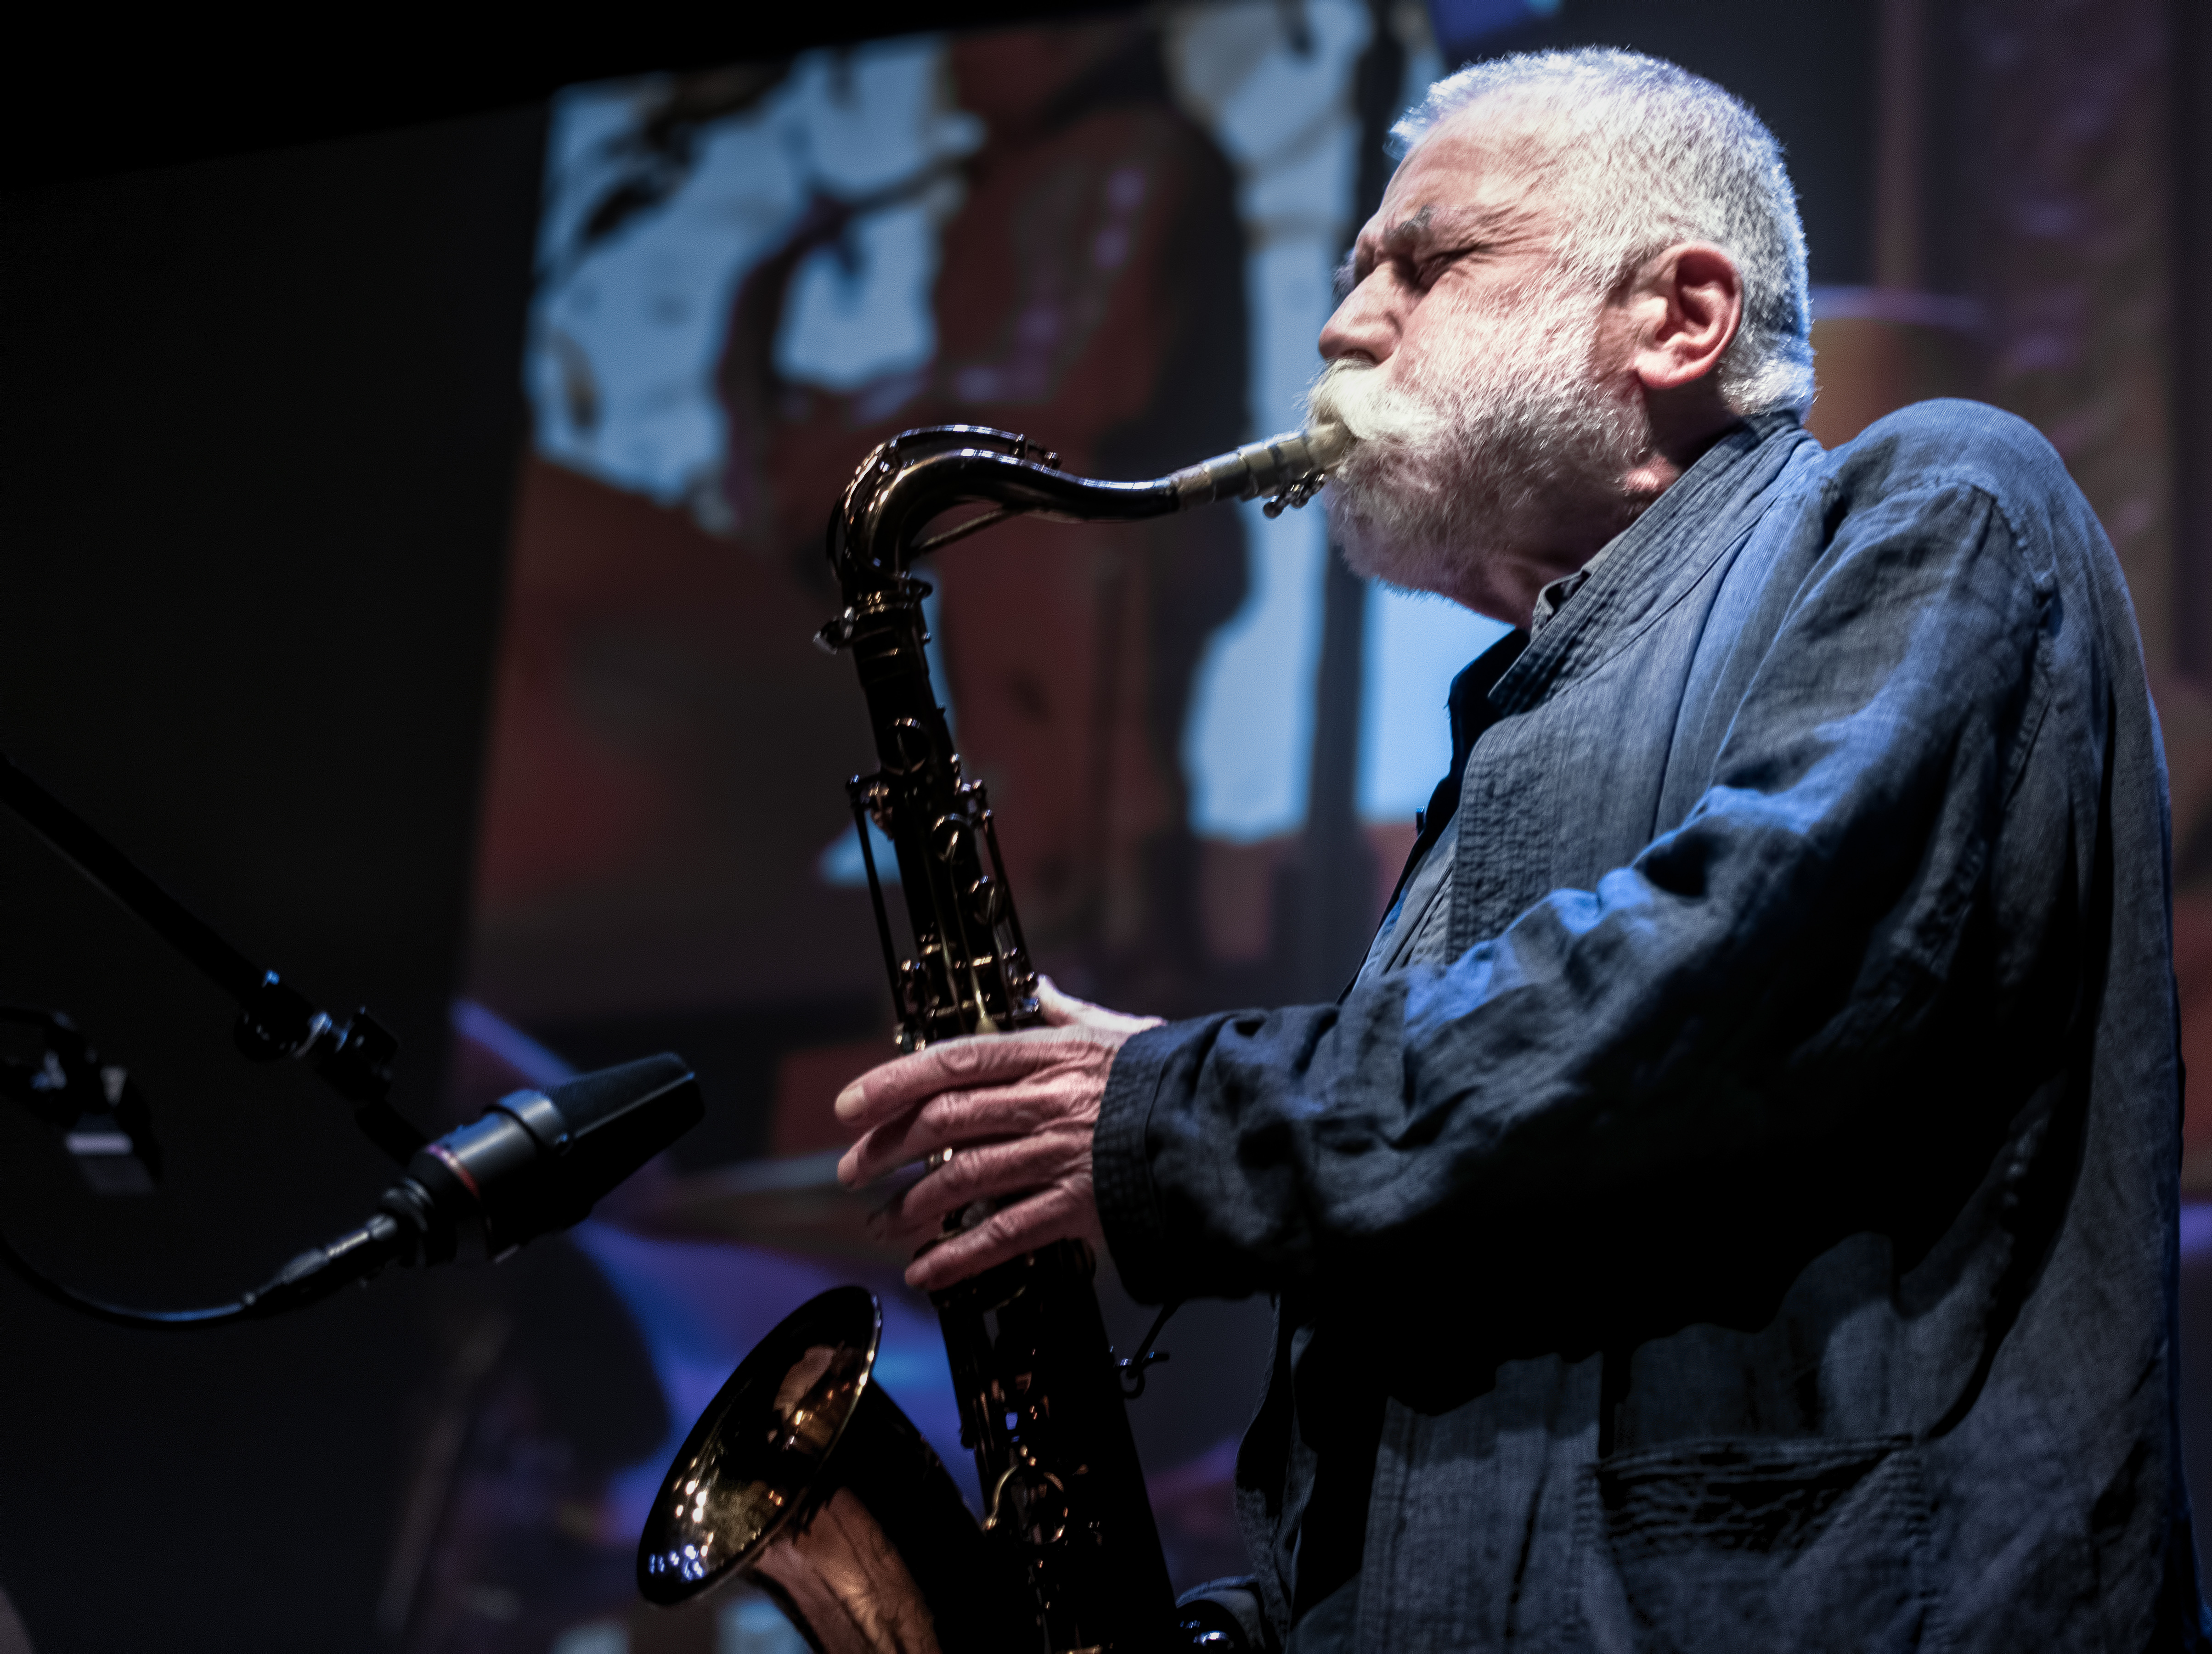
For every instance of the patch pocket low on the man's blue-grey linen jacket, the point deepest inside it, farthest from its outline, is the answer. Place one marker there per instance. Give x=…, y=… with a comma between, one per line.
x=1755, y=1545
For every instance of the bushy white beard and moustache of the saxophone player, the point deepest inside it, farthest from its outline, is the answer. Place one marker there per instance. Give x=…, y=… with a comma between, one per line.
x=1472, y=450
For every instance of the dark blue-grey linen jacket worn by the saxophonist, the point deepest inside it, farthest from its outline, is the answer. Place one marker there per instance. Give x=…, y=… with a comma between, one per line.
x=1757, y=1228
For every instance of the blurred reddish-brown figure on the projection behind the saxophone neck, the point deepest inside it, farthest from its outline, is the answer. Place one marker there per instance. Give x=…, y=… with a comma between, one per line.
x=1089, y=295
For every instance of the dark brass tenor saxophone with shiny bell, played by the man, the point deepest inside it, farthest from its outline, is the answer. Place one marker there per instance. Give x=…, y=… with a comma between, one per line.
x=802, y=1474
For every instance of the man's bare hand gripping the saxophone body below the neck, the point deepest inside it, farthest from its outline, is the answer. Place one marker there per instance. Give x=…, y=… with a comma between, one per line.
x=994, y=1118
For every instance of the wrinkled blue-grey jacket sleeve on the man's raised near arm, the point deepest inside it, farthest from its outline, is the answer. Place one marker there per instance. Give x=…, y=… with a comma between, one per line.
x=1802, y=921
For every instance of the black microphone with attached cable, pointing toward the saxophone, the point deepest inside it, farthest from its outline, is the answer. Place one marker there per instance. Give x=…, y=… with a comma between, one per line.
x=534, y=1162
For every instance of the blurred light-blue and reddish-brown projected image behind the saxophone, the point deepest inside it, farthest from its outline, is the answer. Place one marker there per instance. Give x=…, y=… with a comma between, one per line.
x=1116, y=240
